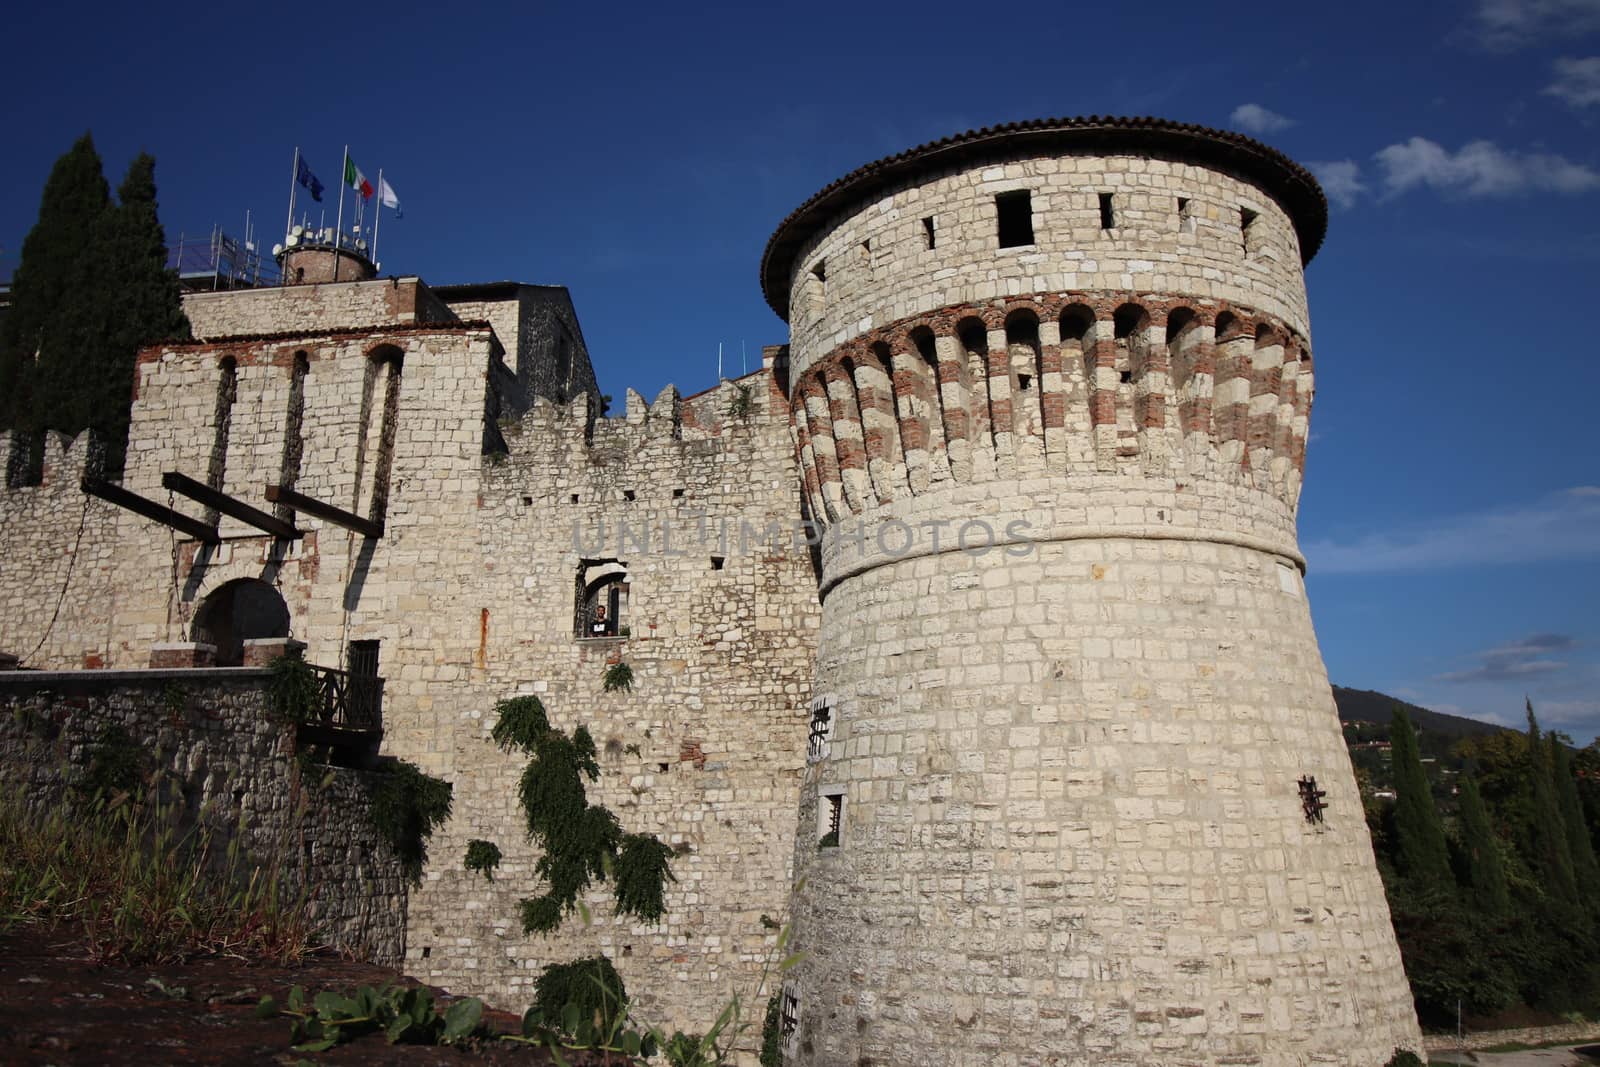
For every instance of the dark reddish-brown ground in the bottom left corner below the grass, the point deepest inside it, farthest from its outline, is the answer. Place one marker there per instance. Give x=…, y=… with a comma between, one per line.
x=57, y=1007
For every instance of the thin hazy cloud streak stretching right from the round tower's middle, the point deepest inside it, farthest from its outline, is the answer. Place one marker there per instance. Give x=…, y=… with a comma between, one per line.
x=1561, y=527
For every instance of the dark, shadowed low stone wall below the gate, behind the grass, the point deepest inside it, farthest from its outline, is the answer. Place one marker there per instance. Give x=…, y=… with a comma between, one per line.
x=222, y=757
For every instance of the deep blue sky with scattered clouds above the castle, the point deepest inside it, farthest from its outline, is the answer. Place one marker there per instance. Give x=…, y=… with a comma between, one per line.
x=642, y=154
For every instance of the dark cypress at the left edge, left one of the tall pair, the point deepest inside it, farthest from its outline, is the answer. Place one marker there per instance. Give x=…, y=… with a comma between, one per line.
x=50, y=295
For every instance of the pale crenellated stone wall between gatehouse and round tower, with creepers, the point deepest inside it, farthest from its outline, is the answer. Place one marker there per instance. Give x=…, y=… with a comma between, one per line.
x=703, y=753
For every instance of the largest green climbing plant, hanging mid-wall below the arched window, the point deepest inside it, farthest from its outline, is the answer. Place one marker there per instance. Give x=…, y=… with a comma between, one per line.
x=580, y=842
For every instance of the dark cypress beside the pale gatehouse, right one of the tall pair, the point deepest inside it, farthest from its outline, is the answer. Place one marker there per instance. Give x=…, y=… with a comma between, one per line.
x=142, y=305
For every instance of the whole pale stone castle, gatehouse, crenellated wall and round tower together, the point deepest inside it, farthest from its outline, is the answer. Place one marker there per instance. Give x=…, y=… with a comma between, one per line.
x=977, y=613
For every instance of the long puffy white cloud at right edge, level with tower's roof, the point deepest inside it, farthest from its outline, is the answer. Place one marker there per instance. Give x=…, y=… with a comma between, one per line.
x=1479, y=170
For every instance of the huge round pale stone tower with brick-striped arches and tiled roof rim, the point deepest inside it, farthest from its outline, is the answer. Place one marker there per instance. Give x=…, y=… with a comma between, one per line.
x=1078, y=789
